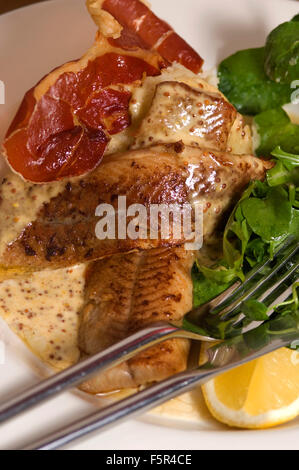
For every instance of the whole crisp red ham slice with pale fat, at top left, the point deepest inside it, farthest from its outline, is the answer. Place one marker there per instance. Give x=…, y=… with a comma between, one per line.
x=64, y=124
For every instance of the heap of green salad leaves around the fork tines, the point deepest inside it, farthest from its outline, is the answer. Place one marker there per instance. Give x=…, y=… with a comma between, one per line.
x=263, y=218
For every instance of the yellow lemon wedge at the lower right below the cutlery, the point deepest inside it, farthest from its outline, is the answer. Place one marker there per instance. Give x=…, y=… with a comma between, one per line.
x=258, y=395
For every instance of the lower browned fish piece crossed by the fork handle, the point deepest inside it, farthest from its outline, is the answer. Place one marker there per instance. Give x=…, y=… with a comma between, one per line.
x=125, y=293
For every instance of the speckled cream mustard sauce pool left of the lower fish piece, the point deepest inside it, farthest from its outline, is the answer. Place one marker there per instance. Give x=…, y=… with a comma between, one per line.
x=43, y=311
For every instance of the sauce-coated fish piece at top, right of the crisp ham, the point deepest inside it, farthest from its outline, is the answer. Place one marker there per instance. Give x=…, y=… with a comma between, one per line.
x=180, y=112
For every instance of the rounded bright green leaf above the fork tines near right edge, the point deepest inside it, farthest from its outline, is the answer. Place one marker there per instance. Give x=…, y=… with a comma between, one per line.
x=269, y=218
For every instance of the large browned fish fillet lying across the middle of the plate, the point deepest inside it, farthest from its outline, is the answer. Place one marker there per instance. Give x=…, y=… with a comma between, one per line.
x=64, y=232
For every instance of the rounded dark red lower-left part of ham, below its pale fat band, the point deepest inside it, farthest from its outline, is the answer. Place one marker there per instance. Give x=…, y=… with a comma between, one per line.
x=65, y=132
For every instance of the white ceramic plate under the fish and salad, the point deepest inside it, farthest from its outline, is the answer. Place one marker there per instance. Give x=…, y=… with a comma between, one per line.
x=33, y=41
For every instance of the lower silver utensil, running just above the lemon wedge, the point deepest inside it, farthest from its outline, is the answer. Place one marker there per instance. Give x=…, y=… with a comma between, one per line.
x=223, y=357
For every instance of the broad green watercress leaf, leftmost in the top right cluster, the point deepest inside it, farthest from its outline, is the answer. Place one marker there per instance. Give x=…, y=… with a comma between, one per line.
x=242, y=79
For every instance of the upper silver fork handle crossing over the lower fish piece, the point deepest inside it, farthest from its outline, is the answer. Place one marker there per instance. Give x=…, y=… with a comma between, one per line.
x=76, y=374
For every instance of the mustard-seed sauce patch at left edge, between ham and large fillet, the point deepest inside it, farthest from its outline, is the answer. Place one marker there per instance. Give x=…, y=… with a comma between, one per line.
x=20, y=204
